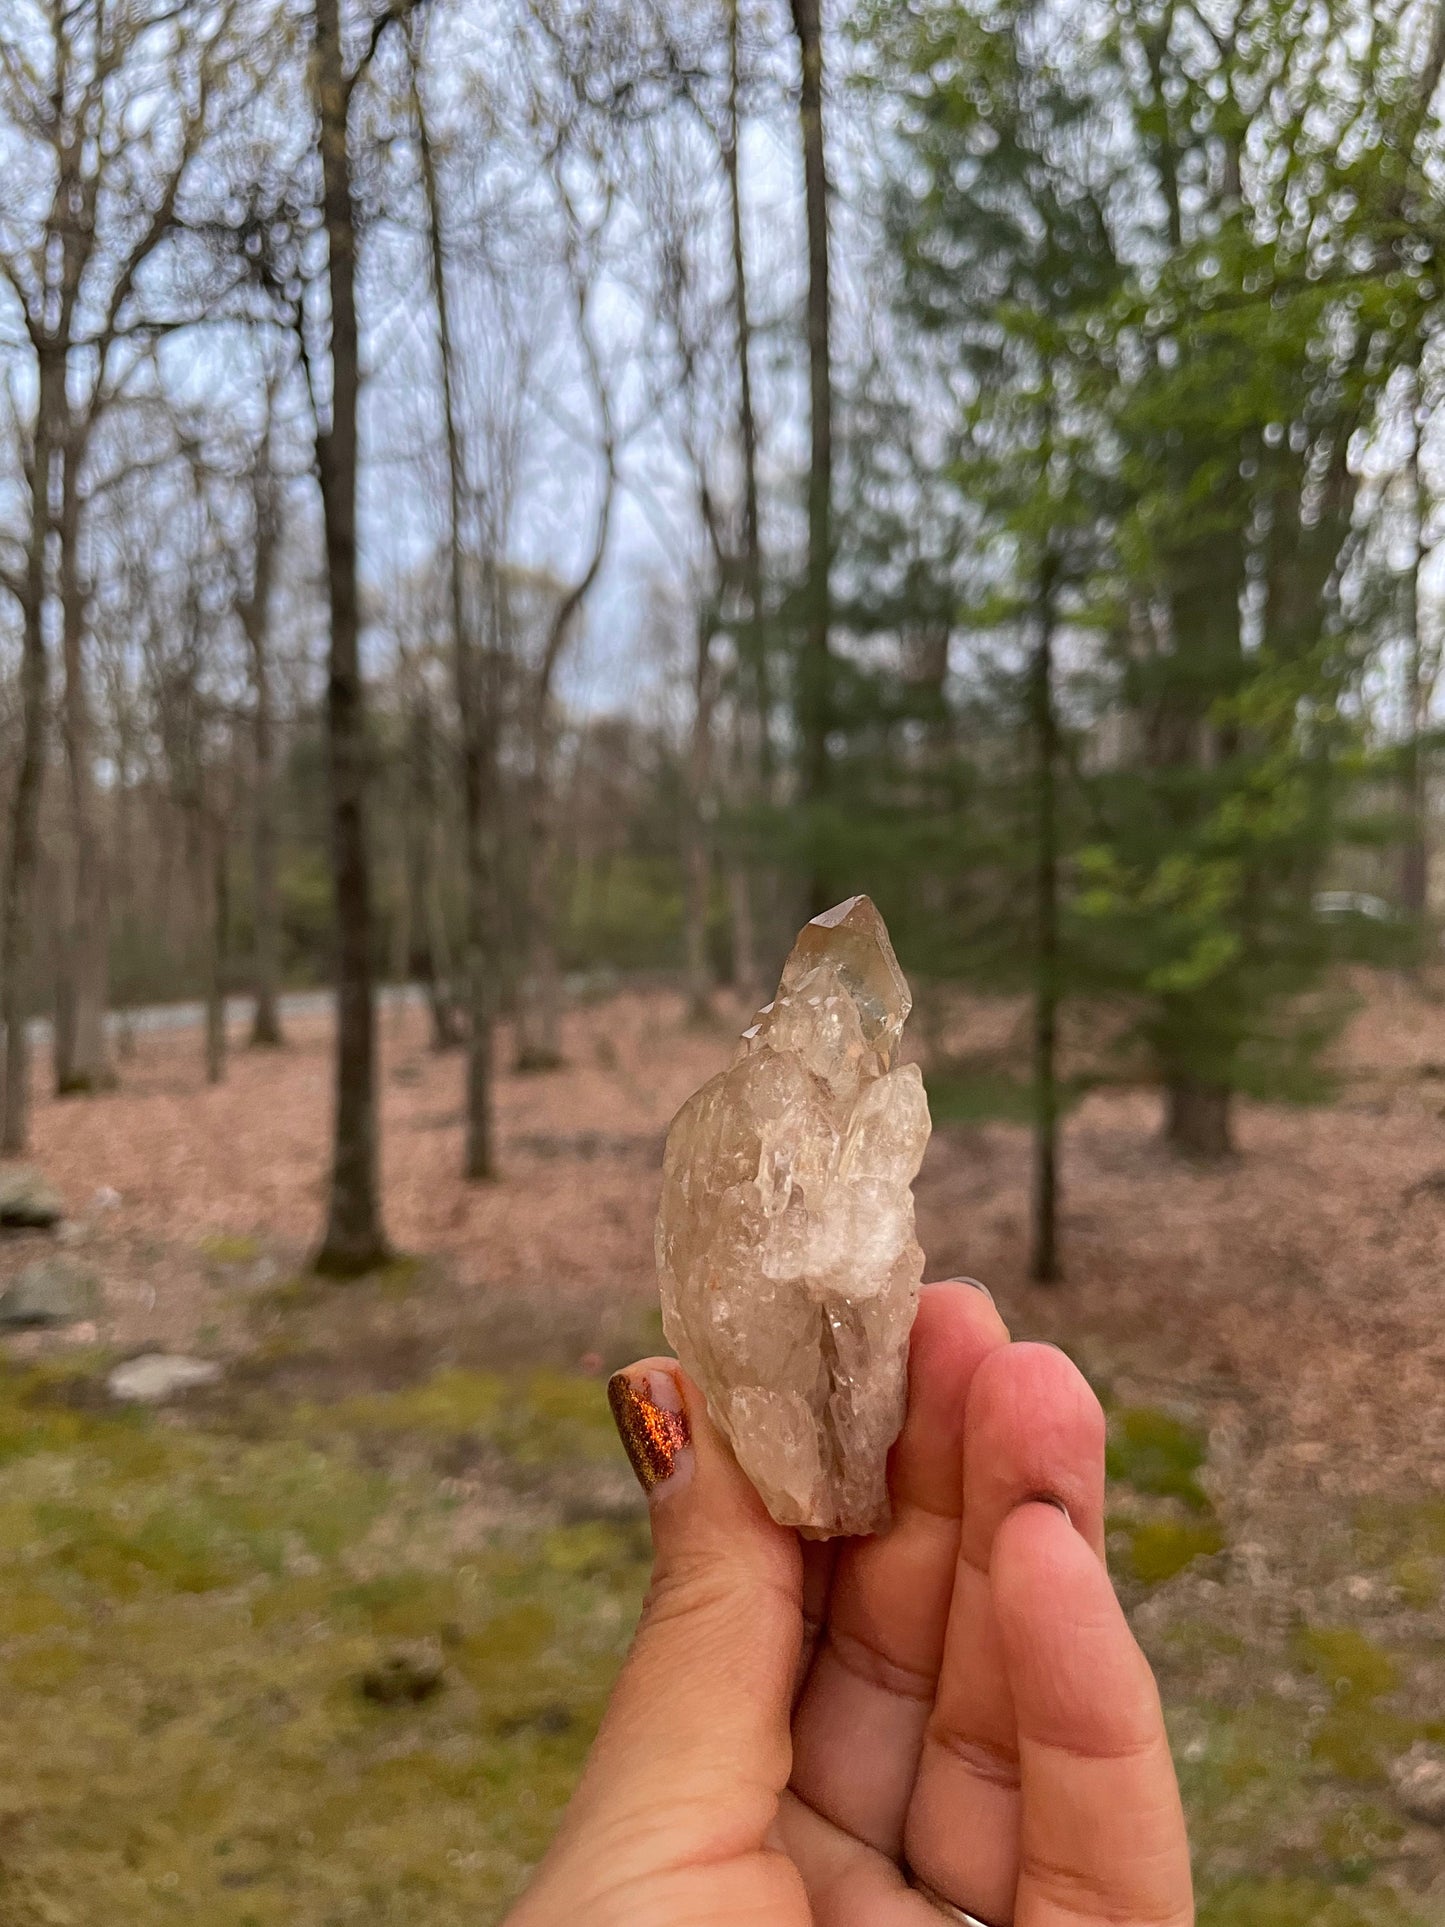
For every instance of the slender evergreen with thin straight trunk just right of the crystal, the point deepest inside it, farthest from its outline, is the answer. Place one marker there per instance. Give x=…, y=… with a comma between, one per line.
x=1003, y=251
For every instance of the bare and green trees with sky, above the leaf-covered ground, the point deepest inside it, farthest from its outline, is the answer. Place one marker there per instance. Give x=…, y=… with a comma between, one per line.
x=504, y=492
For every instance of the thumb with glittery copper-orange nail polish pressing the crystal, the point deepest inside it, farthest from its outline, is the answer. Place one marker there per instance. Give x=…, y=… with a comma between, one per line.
x=696, y=1747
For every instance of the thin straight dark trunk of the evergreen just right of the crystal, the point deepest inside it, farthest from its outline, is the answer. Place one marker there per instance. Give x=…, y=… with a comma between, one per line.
x=1043, y=1257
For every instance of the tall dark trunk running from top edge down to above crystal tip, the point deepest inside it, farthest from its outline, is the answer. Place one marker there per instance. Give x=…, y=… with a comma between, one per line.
x=816, y=672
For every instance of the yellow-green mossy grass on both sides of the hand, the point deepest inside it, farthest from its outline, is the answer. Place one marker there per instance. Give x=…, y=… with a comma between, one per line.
x=190, y=1612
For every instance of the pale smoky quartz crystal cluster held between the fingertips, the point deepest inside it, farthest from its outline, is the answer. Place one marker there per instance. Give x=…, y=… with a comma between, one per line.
x=785, y=1238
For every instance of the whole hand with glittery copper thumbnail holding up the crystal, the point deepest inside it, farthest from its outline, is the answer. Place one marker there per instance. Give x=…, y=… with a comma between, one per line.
x=943, y=1722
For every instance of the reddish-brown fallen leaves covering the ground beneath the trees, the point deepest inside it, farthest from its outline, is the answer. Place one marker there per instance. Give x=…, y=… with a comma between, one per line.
x=1298, y=1282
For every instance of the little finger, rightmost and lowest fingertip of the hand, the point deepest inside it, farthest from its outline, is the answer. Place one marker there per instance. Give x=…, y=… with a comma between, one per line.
x=1103, y=1835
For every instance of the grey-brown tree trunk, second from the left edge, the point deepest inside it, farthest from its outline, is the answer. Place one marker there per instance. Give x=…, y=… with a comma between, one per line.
x=82, y=1053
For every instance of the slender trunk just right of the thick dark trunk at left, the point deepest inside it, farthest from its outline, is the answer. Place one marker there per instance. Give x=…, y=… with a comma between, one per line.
x=475, y=710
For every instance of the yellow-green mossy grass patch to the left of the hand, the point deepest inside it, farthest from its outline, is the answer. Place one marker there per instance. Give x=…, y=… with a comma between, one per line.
x=201, y=1610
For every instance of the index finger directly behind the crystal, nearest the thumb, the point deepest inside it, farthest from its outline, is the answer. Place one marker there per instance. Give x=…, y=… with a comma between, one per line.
x=866, y=1704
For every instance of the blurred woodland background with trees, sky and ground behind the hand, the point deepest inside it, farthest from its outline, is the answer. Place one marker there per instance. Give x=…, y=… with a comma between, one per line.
x=508, y=508
